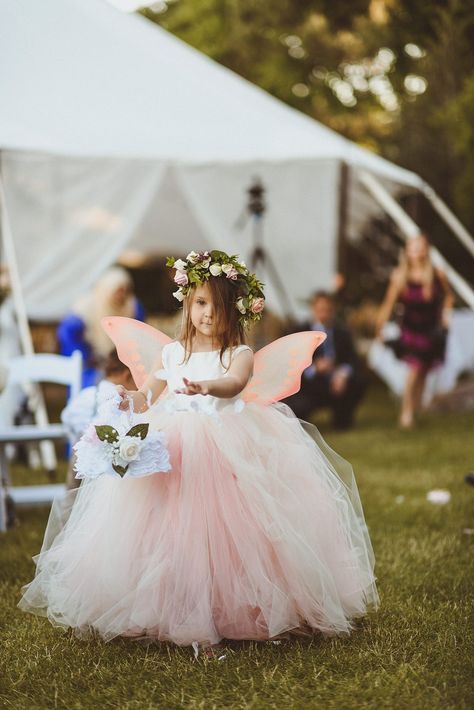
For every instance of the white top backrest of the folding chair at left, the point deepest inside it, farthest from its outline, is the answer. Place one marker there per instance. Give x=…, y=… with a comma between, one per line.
x=46, y=367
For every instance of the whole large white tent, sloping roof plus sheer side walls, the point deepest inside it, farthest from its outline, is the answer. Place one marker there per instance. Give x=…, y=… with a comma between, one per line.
x=116, y=134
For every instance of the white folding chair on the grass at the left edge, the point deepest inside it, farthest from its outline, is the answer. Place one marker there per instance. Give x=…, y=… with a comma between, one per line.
x=28, y=371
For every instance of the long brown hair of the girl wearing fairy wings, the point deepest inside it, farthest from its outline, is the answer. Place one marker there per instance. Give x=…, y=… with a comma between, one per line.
x=224, y=293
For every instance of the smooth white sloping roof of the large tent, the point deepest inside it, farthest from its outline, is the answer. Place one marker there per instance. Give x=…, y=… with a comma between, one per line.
x=87, y=80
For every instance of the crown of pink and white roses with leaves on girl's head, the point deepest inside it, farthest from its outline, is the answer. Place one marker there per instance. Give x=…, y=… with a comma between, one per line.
x=199, y=267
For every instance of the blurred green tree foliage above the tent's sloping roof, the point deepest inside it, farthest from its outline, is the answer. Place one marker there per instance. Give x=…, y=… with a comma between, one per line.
x=397, y=76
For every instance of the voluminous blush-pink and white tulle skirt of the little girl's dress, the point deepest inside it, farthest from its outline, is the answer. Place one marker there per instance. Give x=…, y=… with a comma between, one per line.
x=257, y=530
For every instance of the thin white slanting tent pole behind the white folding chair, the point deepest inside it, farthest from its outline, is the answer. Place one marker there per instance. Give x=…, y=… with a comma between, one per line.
x=48, y=453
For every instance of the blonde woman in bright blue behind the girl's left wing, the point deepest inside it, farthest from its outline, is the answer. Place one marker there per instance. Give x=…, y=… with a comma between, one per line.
x=81, y=329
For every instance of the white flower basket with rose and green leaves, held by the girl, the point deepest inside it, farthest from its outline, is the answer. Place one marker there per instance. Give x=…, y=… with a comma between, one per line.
x=121, y=451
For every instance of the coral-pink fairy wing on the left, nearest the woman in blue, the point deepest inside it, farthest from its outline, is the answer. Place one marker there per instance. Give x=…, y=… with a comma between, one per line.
x=138, y=344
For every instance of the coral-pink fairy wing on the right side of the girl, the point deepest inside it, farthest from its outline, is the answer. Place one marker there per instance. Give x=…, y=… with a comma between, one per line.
x=278, y=367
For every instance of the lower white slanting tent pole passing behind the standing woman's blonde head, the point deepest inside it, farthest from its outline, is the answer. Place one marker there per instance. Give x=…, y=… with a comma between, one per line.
x=410, y=229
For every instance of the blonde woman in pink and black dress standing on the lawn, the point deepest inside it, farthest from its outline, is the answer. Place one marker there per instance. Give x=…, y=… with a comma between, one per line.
x=427, y=301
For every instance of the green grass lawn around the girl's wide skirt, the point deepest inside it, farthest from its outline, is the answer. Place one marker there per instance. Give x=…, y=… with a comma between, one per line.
x=416, y=652
